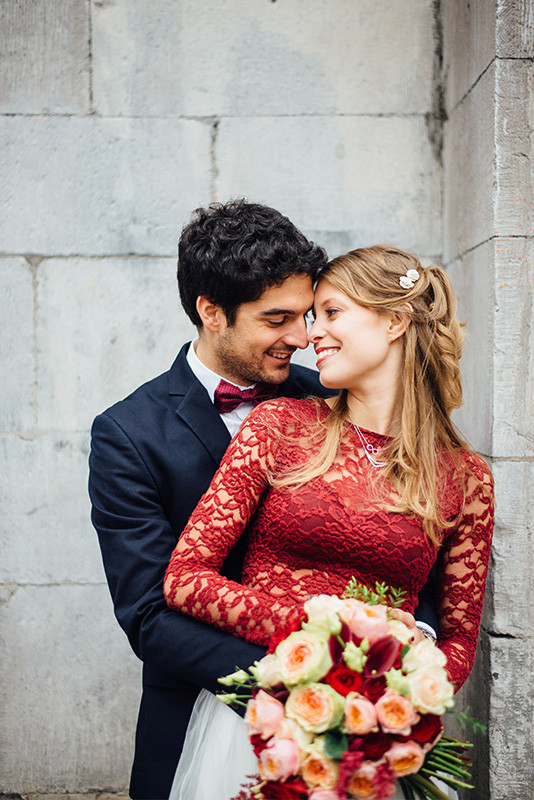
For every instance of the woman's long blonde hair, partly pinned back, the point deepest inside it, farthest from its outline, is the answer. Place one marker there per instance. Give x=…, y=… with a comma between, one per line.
x=427, y=440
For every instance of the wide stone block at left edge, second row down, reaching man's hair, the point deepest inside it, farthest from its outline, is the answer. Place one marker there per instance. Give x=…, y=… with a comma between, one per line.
x=100, y=186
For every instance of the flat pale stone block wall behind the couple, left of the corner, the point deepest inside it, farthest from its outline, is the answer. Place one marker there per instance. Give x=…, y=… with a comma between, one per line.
x=117, y=118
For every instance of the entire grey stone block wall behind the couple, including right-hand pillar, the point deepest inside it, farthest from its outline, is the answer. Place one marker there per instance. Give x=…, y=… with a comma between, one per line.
x=118, y=117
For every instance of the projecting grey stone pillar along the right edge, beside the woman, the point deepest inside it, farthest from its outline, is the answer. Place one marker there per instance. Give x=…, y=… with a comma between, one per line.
x=488, y=246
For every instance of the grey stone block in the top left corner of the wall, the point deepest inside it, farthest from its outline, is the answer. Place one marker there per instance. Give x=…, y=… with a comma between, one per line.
x=44, y=54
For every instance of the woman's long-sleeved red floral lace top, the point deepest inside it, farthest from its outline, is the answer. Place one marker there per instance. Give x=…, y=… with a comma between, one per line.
x=312, y=539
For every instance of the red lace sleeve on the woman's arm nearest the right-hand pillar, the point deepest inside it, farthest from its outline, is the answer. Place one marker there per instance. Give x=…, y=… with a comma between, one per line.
x=463, y=566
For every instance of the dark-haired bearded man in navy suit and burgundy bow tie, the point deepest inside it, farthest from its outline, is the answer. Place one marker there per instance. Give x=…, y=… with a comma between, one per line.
x=245, y=276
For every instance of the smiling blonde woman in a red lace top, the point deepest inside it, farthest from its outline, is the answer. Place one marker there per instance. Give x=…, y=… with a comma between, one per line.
x=374, y=483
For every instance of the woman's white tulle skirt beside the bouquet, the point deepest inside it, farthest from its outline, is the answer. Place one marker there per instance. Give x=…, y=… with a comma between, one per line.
x=217, y=755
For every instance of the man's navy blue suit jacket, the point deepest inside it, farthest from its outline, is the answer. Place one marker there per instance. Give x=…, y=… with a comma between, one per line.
x=153, y=455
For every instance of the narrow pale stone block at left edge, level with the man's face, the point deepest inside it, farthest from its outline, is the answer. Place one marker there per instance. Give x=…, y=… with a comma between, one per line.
x=17, y=411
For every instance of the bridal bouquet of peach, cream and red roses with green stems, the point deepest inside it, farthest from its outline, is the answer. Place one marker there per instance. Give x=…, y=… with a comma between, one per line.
x=344, y=707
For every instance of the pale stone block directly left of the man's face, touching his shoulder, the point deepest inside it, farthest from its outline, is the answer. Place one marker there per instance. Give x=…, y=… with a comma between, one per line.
x=122, y=324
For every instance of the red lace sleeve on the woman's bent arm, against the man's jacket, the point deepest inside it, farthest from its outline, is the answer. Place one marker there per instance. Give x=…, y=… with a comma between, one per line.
x=193, y=583
